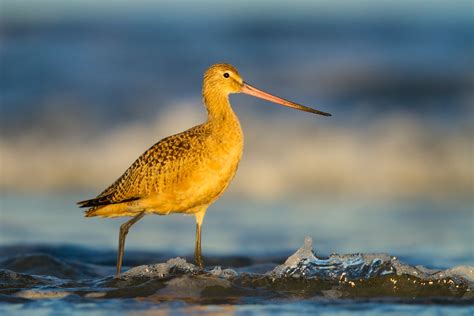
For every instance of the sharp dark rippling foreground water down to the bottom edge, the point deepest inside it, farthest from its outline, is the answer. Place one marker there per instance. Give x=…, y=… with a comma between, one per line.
x=303, y=283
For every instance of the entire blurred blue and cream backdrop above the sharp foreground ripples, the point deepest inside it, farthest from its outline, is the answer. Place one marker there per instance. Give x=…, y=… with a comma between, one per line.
x=87, y=86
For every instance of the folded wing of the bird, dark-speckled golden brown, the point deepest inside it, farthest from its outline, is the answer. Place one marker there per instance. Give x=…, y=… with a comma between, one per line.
x=143, y=176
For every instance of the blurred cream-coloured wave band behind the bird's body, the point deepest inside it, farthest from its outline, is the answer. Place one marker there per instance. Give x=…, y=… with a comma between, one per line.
x=391, y=157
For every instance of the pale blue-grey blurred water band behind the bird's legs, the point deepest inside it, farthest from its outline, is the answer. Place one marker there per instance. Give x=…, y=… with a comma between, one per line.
x=437, y=234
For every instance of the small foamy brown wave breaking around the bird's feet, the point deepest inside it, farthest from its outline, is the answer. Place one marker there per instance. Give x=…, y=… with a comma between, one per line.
x=301, y=276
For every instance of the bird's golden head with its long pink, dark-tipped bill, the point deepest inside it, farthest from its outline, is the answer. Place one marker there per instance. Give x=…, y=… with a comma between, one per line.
x=224, y=79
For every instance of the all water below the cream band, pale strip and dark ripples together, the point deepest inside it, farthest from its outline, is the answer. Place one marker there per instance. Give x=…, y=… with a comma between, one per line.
x=70, y=267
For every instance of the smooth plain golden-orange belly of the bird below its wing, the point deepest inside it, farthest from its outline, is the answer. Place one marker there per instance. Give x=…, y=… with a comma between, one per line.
x=199, y=182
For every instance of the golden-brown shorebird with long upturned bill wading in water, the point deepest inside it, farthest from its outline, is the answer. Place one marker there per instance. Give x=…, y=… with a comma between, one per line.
x=185, y=173
